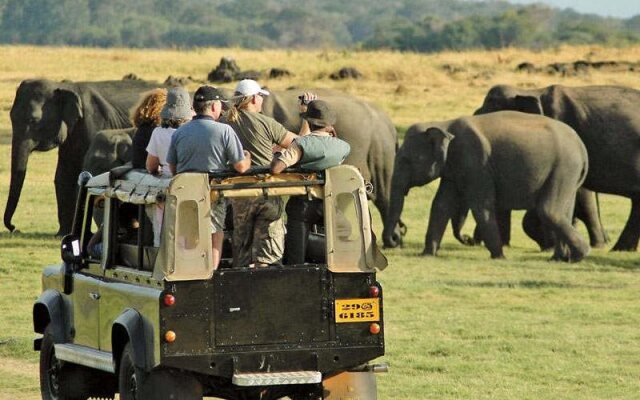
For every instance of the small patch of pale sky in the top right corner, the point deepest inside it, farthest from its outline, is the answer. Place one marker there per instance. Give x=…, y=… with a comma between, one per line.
x=608, y=8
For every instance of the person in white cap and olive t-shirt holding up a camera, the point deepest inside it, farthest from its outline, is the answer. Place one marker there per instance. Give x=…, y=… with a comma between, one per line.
x=258, y=235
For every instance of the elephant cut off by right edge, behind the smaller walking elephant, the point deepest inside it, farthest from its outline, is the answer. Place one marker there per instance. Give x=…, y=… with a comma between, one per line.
x=607, y=121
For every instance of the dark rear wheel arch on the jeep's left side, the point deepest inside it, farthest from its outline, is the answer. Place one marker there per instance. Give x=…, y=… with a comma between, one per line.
x=131, y=326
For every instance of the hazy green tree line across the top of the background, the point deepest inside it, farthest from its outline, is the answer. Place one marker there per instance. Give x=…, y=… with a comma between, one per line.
x=413, y=25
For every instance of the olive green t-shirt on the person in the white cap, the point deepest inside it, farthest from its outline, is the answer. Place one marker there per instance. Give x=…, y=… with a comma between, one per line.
x=258, y=133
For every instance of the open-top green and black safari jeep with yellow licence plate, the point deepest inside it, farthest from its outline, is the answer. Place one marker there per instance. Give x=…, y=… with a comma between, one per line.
x=160, y=323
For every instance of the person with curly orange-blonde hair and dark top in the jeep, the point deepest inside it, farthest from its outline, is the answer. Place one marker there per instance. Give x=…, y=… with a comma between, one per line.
x=145, y=118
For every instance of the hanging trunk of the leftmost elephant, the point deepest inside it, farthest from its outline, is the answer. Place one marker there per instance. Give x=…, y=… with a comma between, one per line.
x=20, y=150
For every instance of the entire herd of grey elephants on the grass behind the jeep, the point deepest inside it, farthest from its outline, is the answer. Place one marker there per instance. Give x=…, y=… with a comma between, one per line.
x=545, y=151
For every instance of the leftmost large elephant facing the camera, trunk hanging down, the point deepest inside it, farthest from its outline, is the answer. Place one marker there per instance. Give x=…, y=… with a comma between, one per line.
x=47, y=114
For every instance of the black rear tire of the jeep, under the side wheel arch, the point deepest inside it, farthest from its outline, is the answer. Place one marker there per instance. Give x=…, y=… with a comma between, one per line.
x=159, y=384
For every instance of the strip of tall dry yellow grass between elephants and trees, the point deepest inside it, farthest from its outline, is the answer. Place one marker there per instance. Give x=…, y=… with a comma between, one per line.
x=411, y=87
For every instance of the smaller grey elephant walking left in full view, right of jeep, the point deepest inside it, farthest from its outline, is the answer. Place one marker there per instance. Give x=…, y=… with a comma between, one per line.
x=491, y=163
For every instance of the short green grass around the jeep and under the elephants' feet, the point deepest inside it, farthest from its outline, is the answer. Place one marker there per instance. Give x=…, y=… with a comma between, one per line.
x=458, y=326
